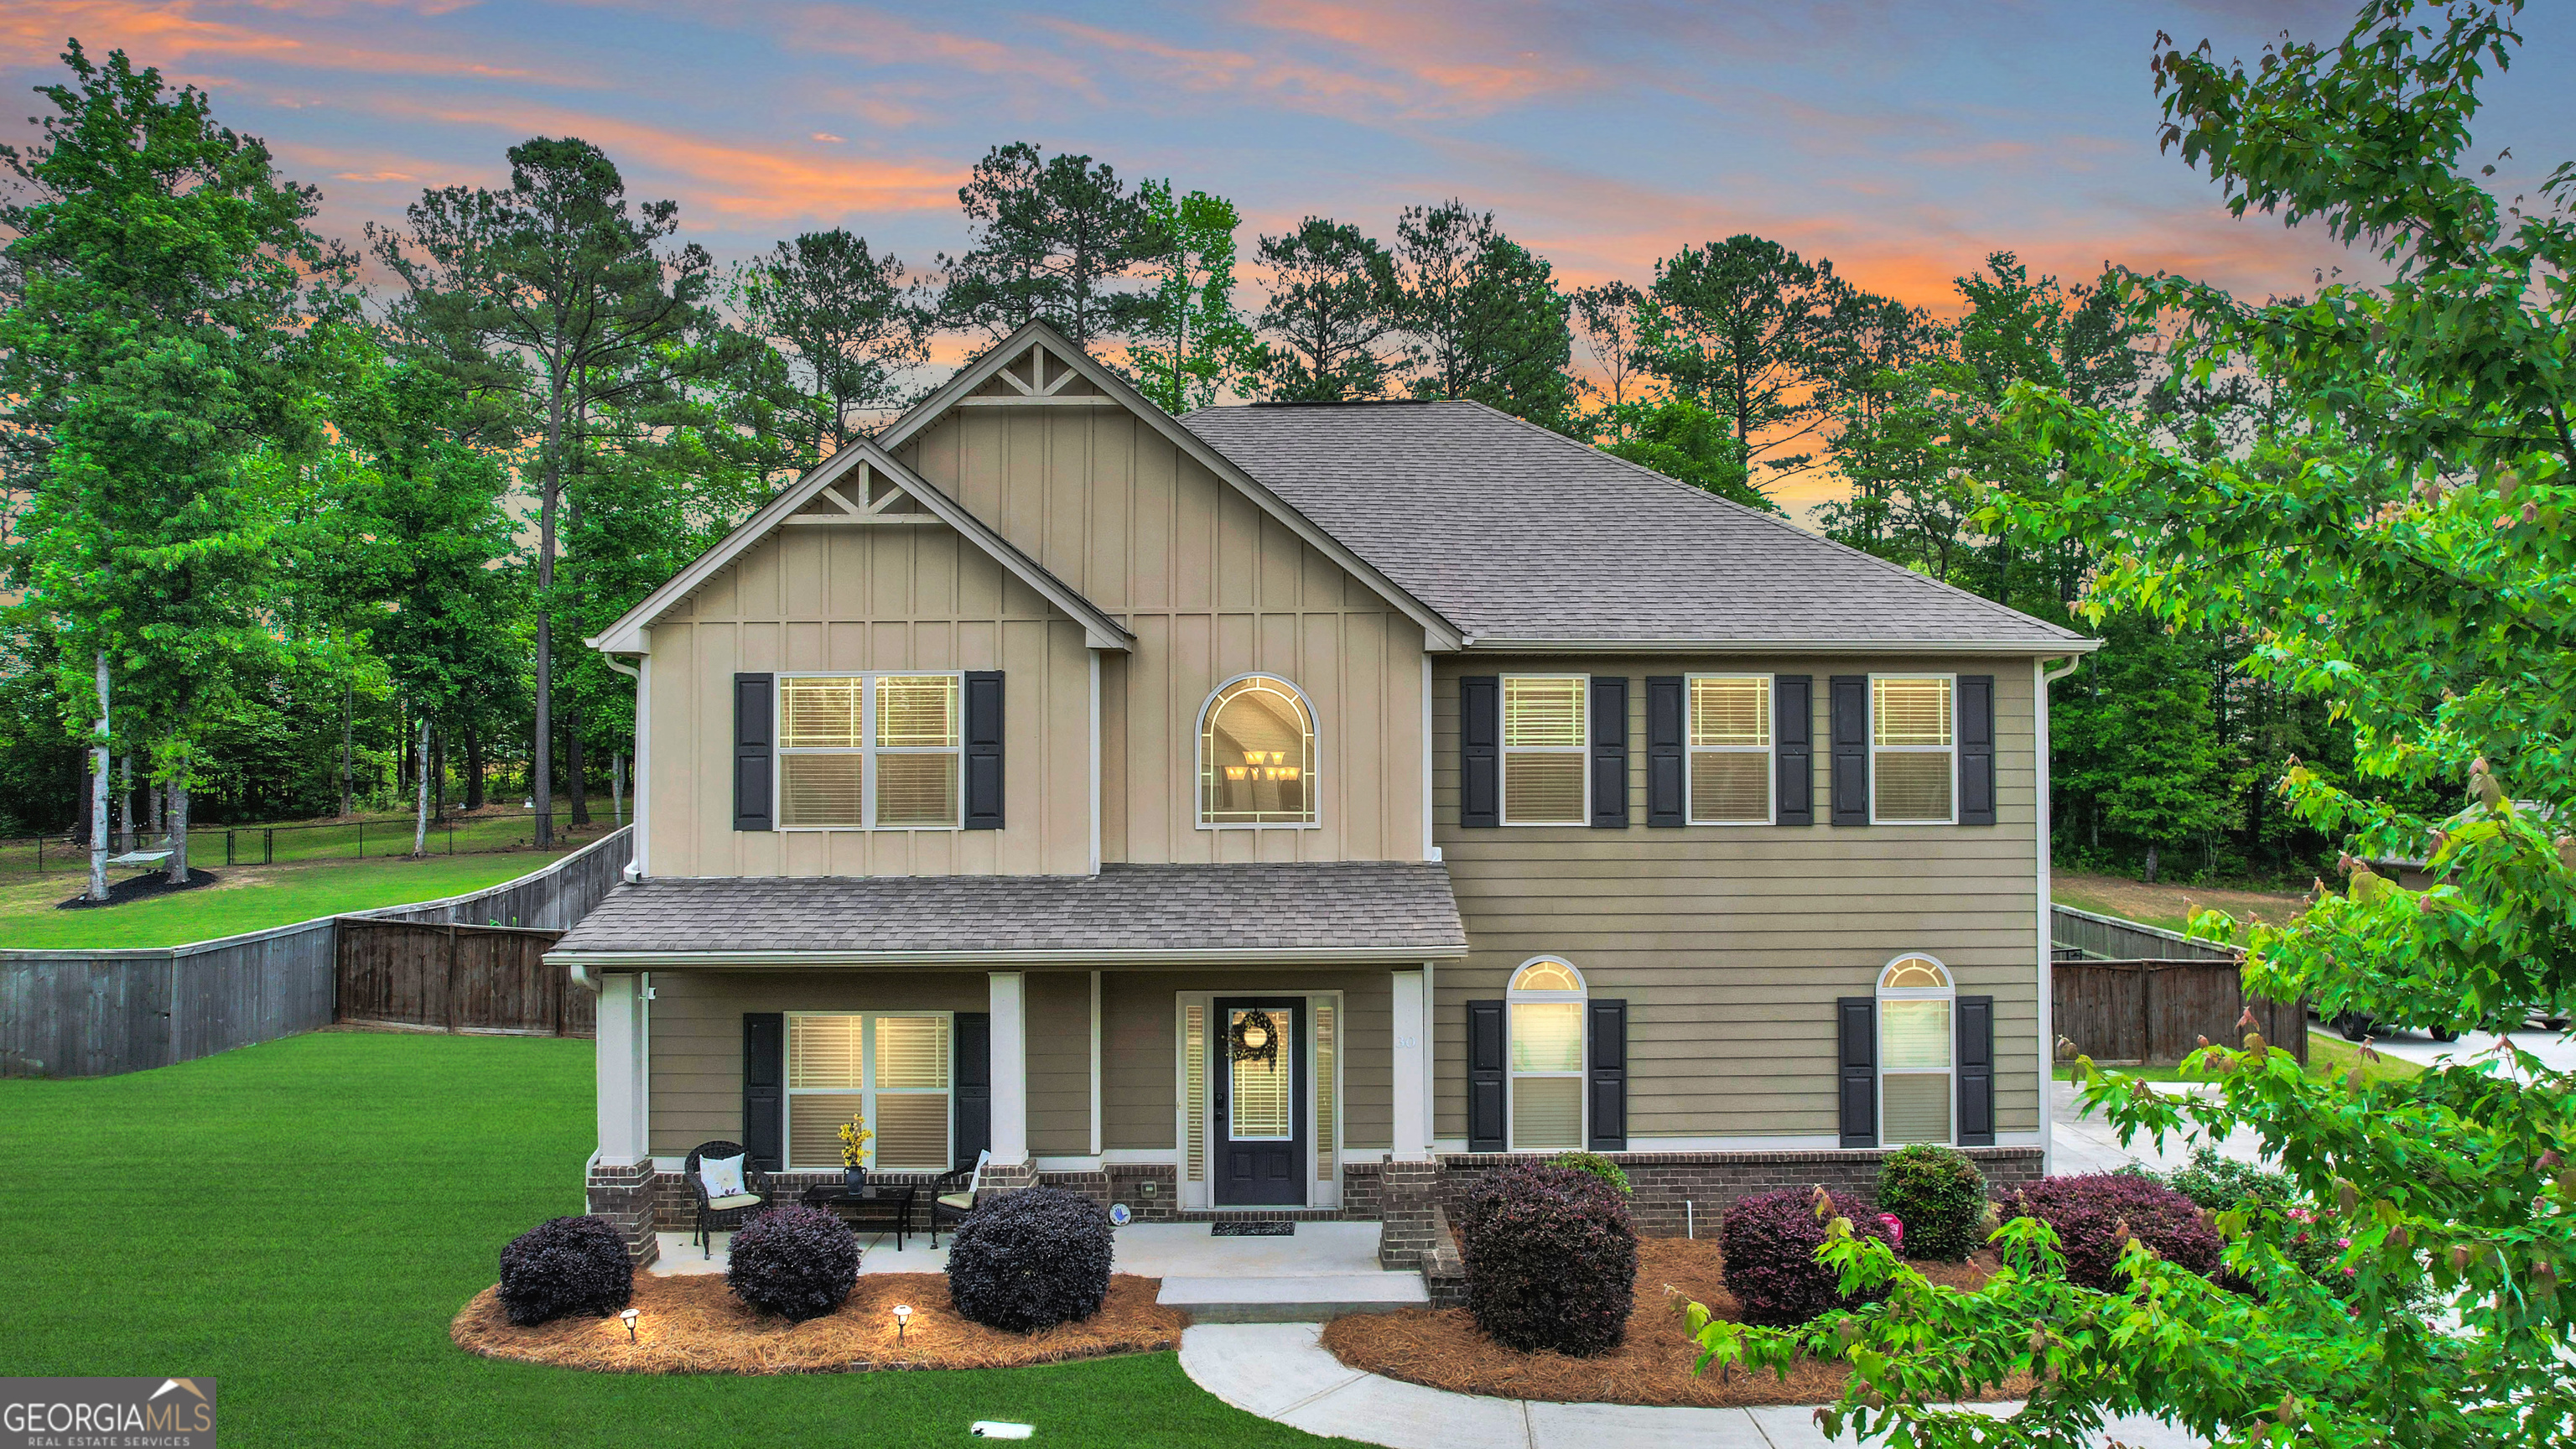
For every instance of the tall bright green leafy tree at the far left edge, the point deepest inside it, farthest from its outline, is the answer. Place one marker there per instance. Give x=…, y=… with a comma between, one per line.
x=169, y=295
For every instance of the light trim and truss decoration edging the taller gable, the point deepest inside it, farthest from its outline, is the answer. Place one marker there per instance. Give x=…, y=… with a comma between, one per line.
x=996, y=380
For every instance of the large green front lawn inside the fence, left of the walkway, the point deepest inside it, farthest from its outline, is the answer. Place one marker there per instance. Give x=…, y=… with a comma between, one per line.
x=303, y=1221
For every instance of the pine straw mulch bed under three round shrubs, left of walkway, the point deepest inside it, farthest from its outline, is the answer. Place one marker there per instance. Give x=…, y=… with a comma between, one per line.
x=697, y=1327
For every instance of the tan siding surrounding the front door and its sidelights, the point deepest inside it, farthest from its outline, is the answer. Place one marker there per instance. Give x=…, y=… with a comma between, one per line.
x=1140, y=1051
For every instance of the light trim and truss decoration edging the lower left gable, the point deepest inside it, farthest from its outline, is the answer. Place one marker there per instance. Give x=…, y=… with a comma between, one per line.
x=841, y=491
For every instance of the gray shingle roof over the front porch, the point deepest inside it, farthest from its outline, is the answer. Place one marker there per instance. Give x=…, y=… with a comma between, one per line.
x=1351, y=906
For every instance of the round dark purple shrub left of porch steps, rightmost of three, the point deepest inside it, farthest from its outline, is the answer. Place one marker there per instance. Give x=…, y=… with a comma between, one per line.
x=1032, y=1259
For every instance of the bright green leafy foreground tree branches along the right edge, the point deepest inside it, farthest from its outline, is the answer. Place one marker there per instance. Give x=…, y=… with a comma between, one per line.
x=2400, y=543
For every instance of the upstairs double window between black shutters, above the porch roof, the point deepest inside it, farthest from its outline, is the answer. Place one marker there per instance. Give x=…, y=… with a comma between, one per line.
x=875, y=752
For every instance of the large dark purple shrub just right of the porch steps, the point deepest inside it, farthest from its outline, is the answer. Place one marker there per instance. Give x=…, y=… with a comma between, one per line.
x=1549, y=1259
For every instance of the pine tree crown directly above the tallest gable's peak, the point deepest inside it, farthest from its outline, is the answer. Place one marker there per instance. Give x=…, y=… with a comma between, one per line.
x=1052, y=241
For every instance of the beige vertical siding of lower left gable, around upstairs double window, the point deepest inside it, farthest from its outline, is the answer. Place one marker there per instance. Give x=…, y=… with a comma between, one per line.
x=854, y=599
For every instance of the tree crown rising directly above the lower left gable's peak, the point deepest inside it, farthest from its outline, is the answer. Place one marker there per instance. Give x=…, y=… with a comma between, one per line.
x=846, y=329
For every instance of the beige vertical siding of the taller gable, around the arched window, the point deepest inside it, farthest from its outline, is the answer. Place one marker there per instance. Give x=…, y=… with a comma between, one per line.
x=1215, y=589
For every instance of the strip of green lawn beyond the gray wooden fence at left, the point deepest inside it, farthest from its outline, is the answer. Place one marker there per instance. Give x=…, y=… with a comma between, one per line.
x=249, y=899
